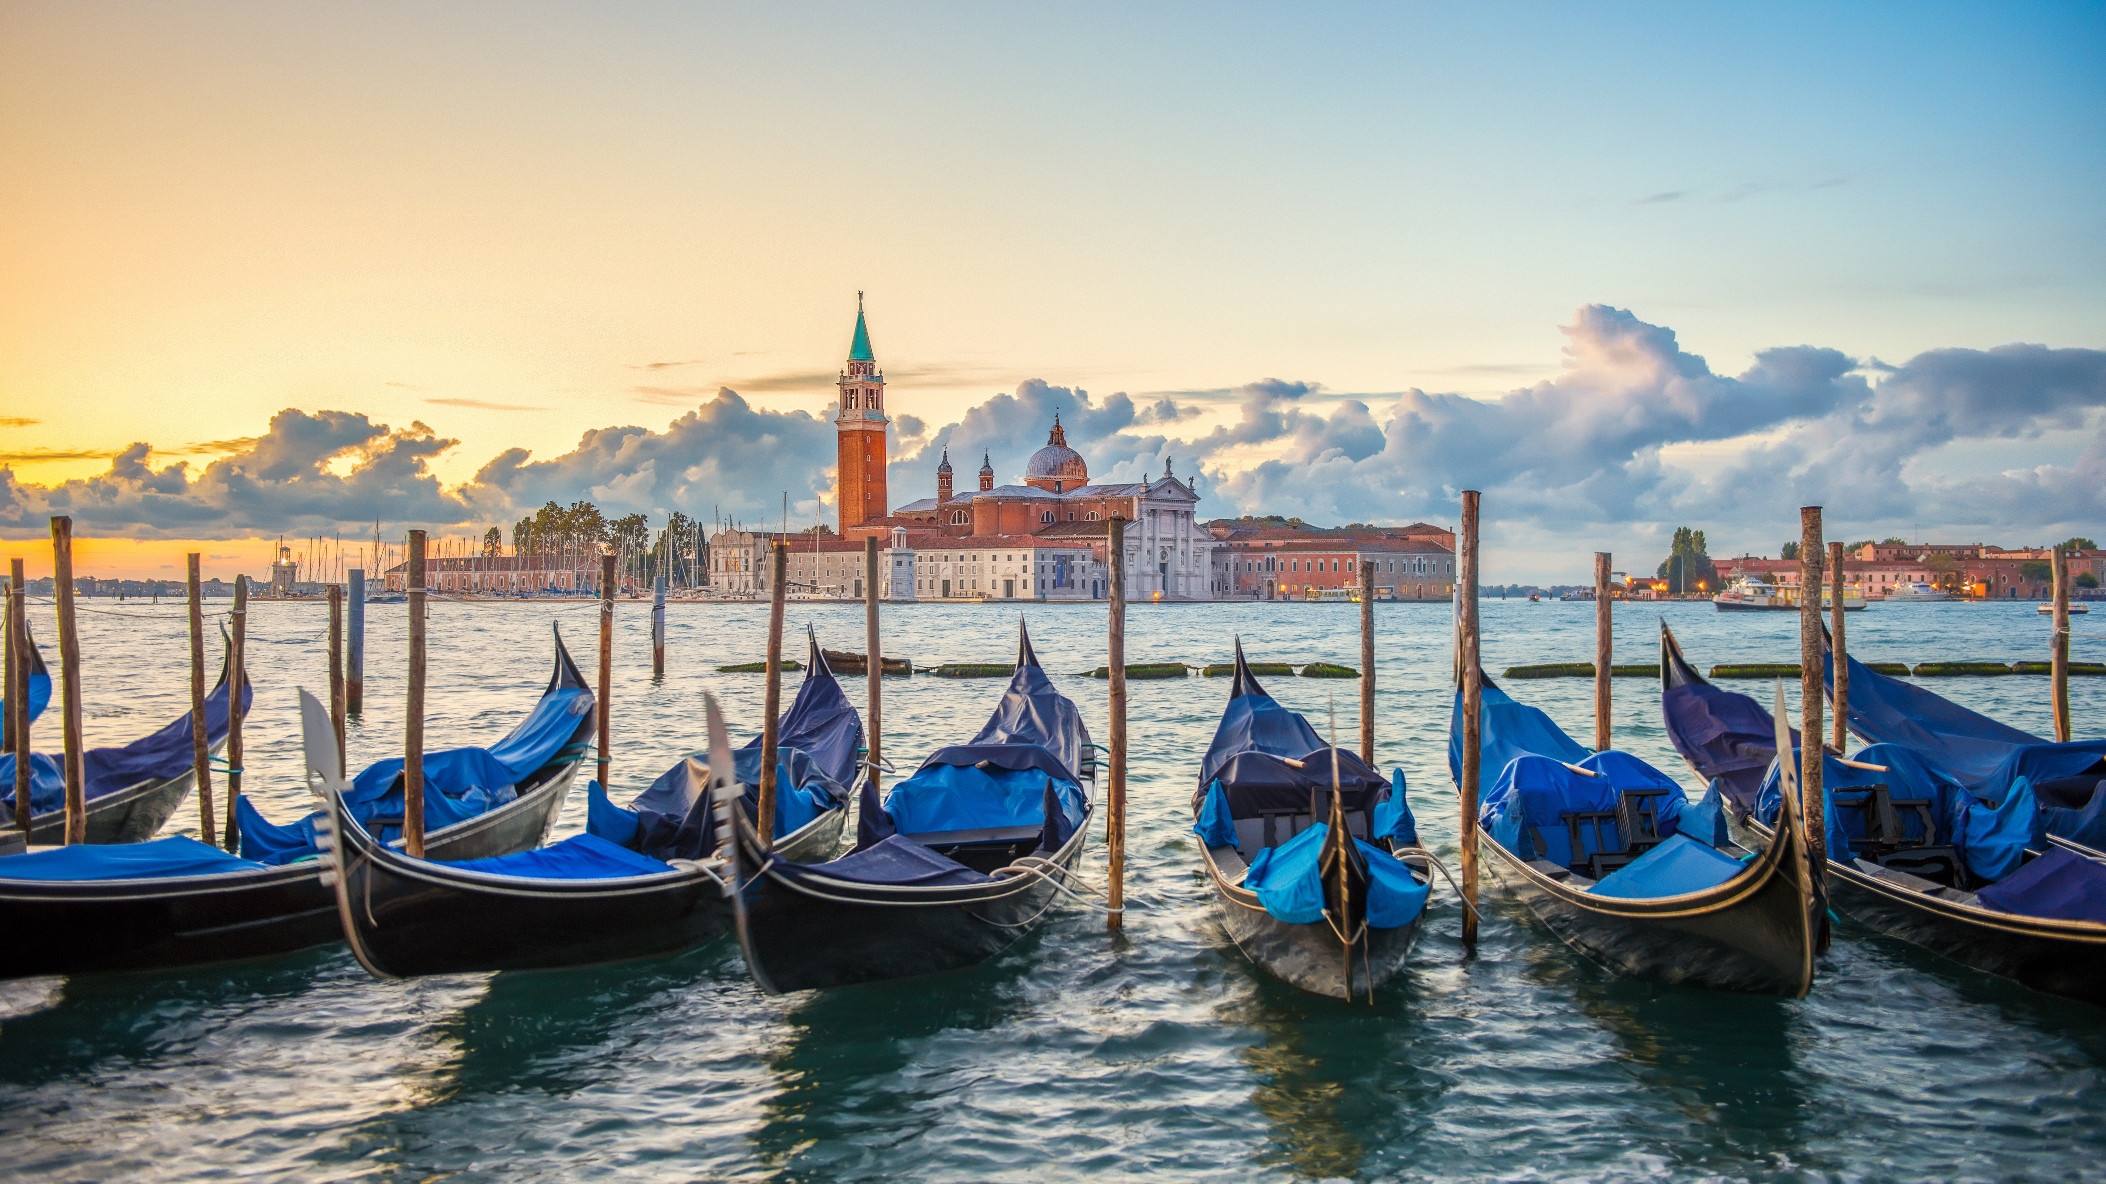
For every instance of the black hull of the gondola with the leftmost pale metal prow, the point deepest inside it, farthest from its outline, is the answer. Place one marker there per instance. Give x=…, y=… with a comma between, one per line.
x=405, y=917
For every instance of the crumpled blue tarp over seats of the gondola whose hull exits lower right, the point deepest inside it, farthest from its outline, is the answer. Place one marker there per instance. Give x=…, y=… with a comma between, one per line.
x=1991, y=840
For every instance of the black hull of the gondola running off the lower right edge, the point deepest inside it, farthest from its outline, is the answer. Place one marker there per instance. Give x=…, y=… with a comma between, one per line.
x=2057, y=958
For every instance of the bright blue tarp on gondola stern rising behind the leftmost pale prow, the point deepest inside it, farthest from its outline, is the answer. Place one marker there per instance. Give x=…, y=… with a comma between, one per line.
x=458, y=783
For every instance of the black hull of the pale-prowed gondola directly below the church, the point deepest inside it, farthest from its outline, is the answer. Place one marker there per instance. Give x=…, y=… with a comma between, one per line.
x=852, y=932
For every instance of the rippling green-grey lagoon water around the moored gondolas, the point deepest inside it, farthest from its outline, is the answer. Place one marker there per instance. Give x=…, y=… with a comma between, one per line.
x=1075, y=1054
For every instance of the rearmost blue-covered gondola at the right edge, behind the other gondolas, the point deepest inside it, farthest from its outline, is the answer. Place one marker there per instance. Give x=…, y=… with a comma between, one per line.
x=1983, y=755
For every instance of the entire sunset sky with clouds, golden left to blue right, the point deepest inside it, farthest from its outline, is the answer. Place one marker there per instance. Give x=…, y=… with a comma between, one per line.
x=298, y=269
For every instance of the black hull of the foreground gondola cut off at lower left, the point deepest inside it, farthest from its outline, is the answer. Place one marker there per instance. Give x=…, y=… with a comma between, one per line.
x=127, y=926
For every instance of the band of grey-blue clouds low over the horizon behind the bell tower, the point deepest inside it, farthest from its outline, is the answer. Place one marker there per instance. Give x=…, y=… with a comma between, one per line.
x=1631, y=437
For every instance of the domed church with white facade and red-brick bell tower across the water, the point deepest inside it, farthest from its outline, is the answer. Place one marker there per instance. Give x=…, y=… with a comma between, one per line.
x=1041, y=540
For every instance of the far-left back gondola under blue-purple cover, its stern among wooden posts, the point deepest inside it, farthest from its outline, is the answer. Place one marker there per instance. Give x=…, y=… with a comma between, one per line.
x=132, y=789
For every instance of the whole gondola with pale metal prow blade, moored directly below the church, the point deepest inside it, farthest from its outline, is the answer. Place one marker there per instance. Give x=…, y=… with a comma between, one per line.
x=957, y=863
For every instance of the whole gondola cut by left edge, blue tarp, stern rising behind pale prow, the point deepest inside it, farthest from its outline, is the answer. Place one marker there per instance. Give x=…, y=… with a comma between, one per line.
x=180, y=903
